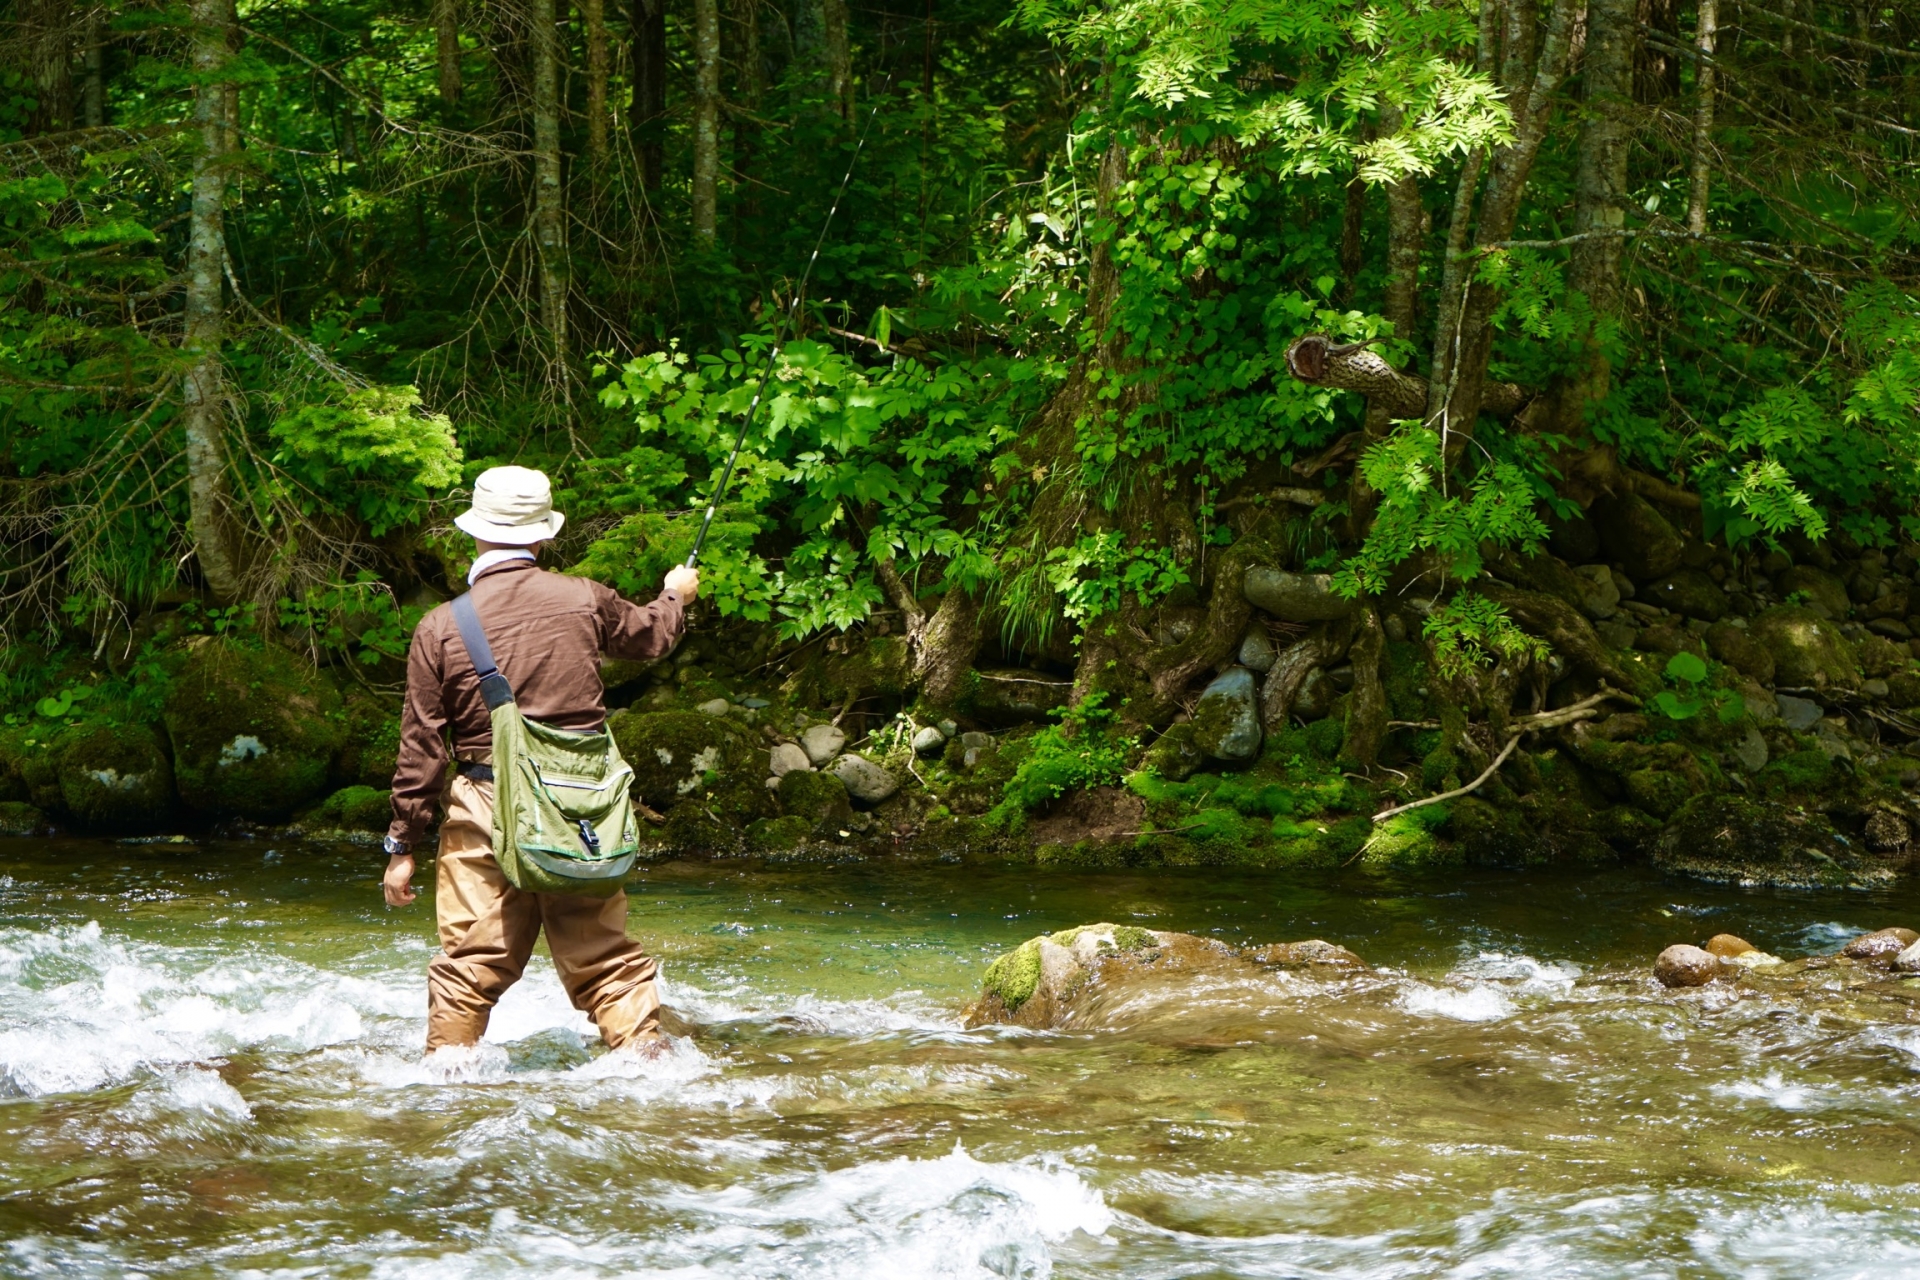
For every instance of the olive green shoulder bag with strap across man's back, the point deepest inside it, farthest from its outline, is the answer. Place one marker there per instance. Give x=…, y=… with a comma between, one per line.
x=564, y=811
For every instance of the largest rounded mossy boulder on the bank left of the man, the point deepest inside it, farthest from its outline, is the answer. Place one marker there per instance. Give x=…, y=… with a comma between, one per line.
x=254, y=730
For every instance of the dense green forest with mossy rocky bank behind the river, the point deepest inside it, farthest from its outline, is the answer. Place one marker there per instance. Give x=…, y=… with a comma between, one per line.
x=1251, y=433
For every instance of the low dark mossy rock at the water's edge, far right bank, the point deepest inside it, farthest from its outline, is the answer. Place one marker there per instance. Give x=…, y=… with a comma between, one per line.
x=1744, y=841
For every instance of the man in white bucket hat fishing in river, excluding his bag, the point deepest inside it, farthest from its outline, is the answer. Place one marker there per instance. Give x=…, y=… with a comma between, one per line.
x=548, y=634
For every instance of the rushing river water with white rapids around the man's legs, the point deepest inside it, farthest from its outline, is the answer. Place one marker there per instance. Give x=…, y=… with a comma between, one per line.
x=210, y=1068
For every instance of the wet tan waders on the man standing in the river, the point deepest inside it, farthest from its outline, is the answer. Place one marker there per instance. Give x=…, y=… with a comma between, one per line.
x=489, y=930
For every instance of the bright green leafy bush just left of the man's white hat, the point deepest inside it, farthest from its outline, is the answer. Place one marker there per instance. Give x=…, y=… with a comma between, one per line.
x=373, y=454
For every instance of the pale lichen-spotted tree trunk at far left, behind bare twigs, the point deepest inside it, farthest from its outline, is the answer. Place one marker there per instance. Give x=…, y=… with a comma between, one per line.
x=204, y=419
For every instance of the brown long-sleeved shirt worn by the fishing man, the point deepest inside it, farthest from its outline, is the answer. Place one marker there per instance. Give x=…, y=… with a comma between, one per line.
x=548, y=634
